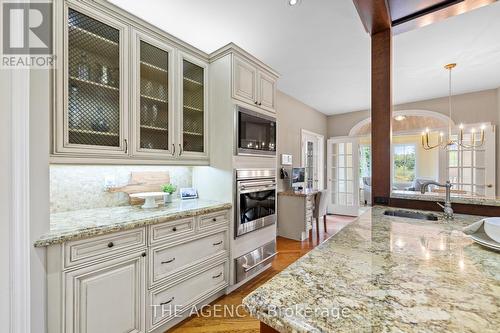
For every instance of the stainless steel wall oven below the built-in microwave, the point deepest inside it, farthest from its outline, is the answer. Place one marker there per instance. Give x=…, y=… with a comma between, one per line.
x=255, y=199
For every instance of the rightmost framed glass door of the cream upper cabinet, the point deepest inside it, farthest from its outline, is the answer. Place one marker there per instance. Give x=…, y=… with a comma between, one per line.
x=194, y=105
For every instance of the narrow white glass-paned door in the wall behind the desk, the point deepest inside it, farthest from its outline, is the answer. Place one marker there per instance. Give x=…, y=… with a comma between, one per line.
x=313, y=159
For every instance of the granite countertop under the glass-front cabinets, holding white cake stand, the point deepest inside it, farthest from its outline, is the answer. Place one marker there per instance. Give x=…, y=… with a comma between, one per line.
x=79, y=224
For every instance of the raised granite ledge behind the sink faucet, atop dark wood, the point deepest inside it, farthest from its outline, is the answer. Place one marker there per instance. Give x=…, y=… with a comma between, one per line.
x=435, y=196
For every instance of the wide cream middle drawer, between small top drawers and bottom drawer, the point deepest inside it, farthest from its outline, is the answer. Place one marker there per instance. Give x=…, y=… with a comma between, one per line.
x=169, y=259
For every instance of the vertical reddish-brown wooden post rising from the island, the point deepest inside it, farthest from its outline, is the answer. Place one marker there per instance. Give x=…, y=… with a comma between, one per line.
x=381, y=113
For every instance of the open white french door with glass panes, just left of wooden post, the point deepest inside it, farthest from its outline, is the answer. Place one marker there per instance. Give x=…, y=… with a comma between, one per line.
x=343, y=176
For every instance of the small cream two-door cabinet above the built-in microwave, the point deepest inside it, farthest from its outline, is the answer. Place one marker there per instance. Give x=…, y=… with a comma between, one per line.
x=253, y=85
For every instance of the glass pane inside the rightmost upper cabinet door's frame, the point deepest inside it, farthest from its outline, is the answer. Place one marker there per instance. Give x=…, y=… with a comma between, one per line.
x=193, y=107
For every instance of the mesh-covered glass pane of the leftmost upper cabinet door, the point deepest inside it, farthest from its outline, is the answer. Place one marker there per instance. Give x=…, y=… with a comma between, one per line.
x=93, y=83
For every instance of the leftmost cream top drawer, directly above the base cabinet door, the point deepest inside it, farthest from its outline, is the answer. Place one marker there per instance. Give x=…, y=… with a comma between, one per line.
x=84, y=250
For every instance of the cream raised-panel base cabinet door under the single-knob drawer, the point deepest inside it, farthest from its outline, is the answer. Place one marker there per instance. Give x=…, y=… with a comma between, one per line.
x=107, y=297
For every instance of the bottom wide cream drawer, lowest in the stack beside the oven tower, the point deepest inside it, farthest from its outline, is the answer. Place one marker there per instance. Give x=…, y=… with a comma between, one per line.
x=172, y=300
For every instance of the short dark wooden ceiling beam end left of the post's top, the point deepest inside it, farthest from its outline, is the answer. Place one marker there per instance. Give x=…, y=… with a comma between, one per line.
x=374, y=14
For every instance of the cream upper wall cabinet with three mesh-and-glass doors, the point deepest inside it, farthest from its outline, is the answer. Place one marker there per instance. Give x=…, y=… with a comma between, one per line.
x=127, y=92
